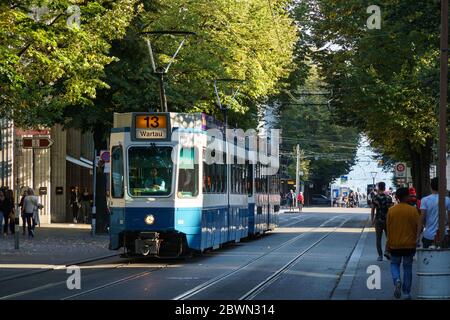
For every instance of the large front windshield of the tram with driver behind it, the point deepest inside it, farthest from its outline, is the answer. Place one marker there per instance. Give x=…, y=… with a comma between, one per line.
x=150, y=171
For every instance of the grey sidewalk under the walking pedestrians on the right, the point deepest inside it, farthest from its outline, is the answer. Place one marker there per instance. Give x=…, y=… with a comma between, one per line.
x=353, y=284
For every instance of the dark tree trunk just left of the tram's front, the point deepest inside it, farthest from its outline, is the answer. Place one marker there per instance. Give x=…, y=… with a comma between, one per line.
x=102, y=217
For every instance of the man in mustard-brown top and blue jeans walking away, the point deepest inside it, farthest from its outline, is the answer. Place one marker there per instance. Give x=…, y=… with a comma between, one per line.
x=402, y=222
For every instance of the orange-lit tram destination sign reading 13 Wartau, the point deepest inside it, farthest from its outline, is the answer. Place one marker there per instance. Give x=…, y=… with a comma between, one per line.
x=151, y=126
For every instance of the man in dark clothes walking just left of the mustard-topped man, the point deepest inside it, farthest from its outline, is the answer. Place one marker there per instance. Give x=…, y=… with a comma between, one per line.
x=381, y=203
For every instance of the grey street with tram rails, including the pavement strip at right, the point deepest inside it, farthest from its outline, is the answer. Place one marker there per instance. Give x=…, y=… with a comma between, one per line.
x=321, y=253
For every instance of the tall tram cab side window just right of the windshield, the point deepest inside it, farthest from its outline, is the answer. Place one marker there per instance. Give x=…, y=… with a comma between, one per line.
x=187, y=174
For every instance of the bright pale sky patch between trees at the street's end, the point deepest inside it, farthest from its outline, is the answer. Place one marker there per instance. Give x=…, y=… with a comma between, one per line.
x=360, y=175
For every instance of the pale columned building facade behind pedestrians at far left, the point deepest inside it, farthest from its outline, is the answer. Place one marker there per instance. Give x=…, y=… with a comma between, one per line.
x=49, y=172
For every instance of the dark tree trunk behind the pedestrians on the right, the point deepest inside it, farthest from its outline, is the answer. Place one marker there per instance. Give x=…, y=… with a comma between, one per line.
x=420, y=168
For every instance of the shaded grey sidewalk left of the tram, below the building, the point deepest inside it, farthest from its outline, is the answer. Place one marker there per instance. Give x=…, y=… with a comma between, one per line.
x=54, y=244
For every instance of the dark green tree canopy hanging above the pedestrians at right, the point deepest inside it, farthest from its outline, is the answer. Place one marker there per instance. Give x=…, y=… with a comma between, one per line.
x=385, y=81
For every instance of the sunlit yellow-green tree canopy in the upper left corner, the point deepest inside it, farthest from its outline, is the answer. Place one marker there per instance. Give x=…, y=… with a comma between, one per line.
x=48, y=63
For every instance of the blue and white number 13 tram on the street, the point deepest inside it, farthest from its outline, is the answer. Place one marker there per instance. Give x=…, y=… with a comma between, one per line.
x=166, y=200
